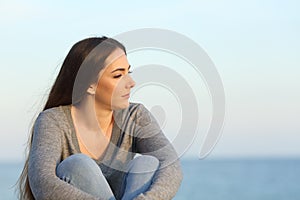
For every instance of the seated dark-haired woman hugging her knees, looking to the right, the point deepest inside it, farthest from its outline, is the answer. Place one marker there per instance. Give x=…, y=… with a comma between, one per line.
x=85, y=141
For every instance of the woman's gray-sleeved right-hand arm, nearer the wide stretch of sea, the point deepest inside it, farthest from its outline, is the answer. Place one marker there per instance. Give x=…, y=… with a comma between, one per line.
x=151, y=140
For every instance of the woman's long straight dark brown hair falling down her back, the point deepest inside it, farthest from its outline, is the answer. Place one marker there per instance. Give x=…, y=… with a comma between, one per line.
x=87, y=55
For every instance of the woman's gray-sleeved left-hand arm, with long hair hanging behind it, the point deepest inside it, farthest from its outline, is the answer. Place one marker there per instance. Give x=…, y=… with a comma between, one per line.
x=44, y=156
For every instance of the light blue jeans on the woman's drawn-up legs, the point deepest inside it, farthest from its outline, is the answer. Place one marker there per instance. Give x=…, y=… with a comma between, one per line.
x=83, y=172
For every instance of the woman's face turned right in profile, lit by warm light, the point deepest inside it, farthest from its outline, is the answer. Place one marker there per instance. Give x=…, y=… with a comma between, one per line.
x=114, y=83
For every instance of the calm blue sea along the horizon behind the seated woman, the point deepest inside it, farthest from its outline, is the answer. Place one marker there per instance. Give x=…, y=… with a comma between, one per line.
x=213, y=179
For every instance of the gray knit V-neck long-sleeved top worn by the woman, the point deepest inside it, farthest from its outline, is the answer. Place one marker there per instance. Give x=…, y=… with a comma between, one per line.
x=135, y=131
